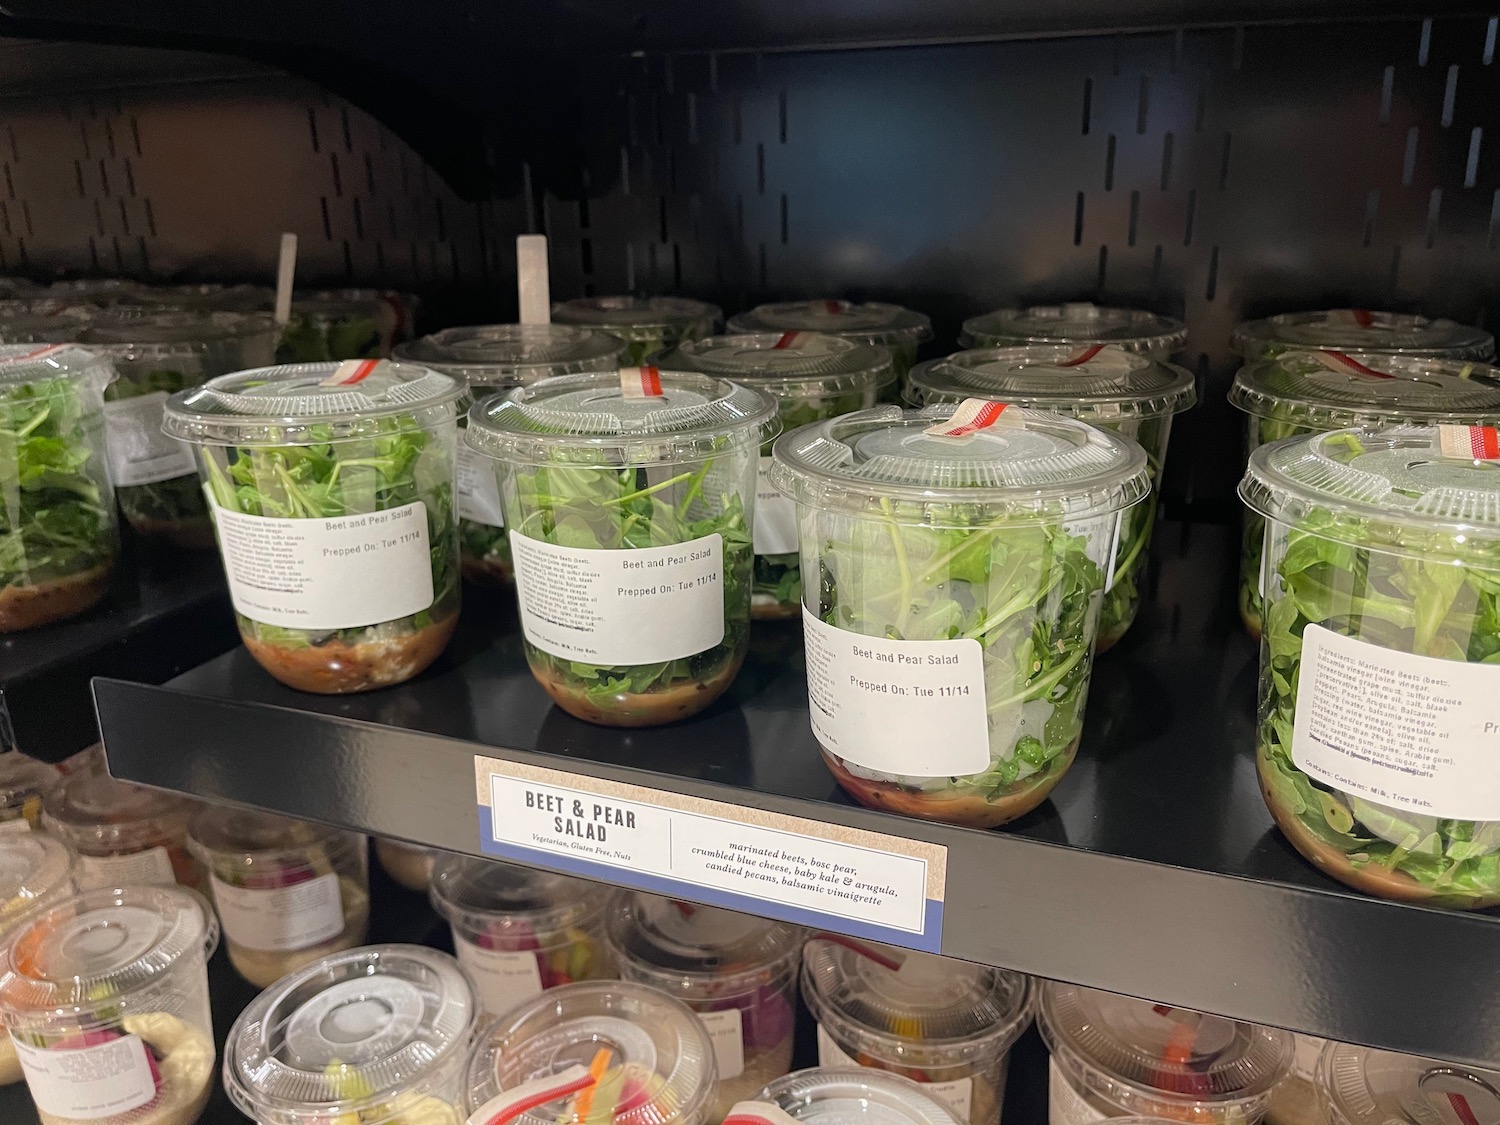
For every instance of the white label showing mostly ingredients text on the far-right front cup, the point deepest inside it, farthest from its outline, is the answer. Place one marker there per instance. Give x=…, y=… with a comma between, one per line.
x=1408, y=731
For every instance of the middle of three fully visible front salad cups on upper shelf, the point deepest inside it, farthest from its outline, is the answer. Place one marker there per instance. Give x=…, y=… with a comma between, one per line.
x=629, y=500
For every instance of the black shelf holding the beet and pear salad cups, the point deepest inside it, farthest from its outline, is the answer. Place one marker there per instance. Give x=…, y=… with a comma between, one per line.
x=1154, y=871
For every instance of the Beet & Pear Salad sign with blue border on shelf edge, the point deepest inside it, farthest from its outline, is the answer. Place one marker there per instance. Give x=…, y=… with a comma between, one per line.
x=752, y=860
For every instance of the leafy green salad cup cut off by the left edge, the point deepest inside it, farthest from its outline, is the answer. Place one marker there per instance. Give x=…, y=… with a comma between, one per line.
x=58, y=535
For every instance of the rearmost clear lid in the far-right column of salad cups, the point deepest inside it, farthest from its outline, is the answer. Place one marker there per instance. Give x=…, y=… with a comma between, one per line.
x=1363, y=331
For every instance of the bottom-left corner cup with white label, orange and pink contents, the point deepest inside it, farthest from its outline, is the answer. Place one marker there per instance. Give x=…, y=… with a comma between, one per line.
x=107, y=1001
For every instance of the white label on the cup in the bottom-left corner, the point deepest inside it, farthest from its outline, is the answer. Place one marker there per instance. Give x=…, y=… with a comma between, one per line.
x=88, y=1084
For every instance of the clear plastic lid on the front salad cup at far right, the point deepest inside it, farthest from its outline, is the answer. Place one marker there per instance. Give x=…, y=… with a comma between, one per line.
x=1418, y=478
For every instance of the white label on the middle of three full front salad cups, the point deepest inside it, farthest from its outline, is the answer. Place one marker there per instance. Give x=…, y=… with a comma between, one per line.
x=638, y=607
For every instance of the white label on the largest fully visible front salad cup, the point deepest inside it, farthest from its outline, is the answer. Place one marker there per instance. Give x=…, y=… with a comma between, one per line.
x=902, y=707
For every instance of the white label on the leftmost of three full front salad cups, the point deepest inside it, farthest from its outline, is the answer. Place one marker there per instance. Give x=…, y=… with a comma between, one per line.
x=328, y=574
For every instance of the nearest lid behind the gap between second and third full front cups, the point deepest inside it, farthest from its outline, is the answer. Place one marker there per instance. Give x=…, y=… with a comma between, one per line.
x=790, y=364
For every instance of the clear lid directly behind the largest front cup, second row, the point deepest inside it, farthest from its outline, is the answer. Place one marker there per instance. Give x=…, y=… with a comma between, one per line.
x=1093, y=383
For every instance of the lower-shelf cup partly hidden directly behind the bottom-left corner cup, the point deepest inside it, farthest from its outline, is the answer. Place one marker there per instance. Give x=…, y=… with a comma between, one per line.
x=124, y=833
